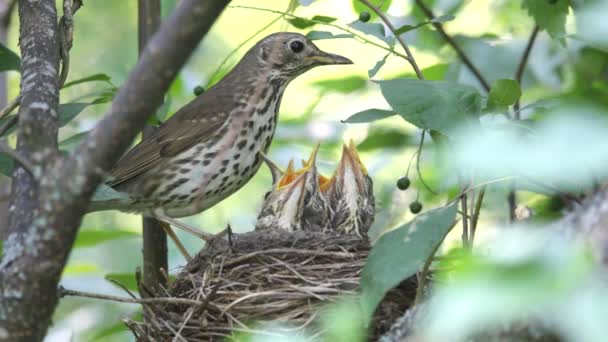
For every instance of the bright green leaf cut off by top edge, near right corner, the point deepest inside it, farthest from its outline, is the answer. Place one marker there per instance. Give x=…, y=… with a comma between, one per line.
x=549, y=15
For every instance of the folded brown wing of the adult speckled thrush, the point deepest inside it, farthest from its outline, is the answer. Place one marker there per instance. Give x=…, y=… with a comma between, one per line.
x=196, y=122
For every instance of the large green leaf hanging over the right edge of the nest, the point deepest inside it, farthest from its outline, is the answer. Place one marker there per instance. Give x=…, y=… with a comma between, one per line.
x=400, y=253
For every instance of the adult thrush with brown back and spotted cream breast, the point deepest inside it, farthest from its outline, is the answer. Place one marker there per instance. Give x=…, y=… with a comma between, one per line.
x=209, y=148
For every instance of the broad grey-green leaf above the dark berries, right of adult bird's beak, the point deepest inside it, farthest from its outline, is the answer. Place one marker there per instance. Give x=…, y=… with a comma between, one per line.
x=435, y=105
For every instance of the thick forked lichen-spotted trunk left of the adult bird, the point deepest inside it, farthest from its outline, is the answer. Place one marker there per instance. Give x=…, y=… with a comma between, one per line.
x=47, y=217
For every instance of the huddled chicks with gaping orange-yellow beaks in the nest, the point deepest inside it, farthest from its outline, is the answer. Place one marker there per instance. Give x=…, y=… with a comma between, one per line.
x=305, y=199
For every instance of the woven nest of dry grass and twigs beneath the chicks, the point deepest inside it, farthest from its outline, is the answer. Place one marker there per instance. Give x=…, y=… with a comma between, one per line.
x=265, y=276
